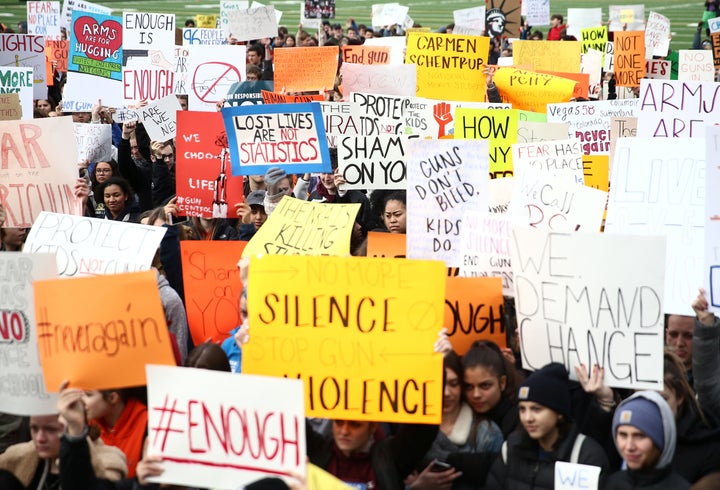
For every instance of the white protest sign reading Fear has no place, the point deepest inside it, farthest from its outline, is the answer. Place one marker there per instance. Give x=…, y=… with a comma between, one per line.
x=561, y=158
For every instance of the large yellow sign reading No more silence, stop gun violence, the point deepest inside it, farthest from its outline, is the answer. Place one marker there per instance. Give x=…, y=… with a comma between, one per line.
x=358, y=331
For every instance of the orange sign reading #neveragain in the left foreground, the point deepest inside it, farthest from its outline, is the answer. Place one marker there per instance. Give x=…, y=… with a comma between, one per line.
x=99, y=332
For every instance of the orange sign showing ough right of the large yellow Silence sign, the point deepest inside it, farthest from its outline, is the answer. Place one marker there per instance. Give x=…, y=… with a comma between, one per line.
x=474, y=310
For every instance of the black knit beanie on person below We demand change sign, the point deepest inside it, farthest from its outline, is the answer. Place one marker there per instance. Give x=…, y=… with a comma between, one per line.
x=548, y=387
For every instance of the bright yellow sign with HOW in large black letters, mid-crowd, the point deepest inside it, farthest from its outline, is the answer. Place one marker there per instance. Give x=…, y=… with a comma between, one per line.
x=498, y=127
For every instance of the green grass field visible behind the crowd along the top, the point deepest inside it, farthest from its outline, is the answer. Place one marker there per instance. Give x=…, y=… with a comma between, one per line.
x=683, y=16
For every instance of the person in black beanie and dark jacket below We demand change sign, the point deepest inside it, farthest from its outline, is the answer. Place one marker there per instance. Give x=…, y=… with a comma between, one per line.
x=547, y=435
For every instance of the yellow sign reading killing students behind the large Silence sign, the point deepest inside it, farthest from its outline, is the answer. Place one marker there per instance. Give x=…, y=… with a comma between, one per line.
x=298, y=227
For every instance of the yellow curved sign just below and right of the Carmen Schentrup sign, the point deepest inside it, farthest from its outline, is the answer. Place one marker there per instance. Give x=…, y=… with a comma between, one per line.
x=532, y=91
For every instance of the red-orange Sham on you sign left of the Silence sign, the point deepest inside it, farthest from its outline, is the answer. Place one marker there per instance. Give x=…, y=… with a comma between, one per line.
x=212, y=285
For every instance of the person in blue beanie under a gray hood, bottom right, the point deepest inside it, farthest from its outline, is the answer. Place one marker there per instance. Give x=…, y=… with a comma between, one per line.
x=645, y=436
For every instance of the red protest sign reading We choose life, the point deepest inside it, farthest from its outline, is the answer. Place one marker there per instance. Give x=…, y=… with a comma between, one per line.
x=204, y=184
